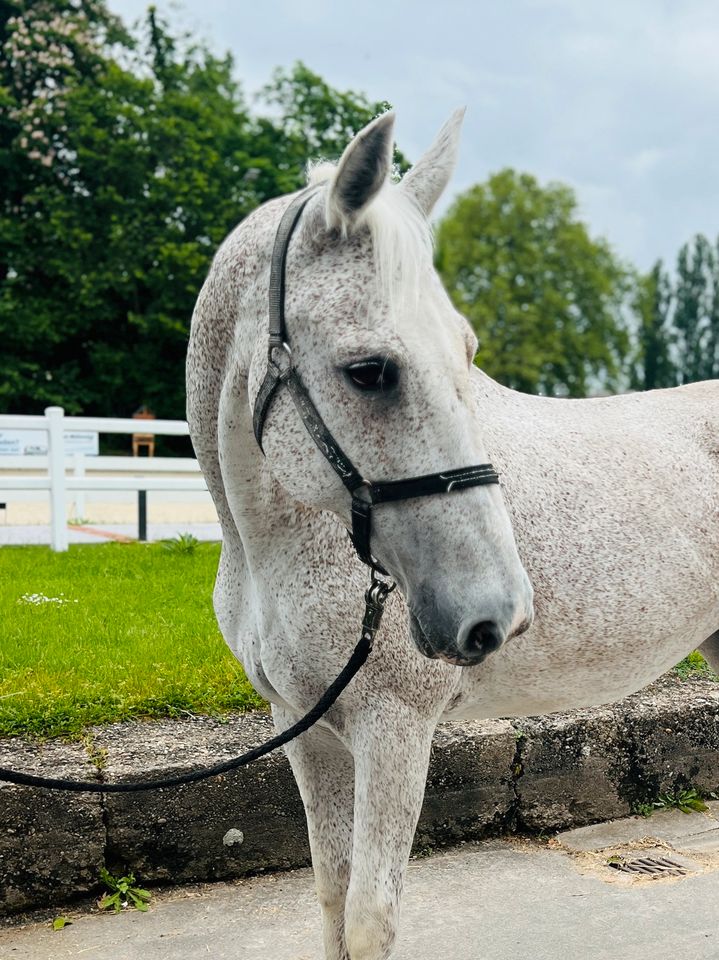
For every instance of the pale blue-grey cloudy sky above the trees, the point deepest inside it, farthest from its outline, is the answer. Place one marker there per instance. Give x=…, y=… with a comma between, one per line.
x=619, y=98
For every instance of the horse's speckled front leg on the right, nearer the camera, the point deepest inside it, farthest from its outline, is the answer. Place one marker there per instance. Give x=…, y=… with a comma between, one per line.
x=391, y=751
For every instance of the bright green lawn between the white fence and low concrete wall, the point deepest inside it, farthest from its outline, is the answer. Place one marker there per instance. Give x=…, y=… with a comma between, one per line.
x=141, y=641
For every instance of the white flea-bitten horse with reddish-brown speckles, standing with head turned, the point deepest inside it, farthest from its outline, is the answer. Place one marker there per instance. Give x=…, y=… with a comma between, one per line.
x=614, y=504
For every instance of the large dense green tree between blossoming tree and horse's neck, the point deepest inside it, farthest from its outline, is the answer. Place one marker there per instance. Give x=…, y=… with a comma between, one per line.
x=131, y=181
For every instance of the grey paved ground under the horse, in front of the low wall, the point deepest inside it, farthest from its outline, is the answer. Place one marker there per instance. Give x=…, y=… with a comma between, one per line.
x=499, y=900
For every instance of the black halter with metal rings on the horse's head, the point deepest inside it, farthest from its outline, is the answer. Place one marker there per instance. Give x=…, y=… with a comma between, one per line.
x=281, y=370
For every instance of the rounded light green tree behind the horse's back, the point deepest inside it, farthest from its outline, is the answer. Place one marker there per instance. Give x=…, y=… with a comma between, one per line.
x=544, y=298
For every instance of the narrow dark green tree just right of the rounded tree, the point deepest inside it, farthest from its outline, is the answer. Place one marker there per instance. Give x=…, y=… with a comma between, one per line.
x=656, y=335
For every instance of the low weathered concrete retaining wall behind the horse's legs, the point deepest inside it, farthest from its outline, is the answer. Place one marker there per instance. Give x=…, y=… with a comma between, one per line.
x=534, y=775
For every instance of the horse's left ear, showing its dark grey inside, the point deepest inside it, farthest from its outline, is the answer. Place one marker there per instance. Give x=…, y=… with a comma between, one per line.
x=360, y=174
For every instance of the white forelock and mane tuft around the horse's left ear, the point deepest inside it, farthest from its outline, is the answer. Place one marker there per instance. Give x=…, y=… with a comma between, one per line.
x=401, y=239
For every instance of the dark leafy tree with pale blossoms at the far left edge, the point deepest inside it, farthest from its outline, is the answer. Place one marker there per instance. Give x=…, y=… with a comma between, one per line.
x=46, y=49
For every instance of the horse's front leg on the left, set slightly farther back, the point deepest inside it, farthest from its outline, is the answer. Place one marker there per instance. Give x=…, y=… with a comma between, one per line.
x=324, y=772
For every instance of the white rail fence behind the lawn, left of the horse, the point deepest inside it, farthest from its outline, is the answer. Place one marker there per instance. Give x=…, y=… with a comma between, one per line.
x=58, y=483
